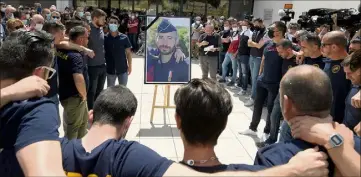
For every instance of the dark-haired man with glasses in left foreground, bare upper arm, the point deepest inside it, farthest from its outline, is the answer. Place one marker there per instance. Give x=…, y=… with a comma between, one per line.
x=29, y=129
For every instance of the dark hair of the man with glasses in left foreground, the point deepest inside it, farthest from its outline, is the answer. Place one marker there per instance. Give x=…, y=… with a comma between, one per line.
x=25, y=51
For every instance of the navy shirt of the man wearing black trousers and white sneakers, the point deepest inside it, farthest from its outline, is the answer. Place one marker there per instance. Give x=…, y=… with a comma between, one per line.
x=272, y=68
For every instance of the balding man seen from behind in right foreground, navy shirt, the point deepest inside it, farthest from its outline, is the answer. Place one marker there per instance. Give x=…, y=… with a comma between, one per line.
x=305, y=91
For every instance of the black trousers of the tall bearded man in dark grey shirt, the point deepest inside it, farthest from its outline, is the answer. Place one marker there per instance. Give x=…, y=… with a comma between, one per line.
x=97, y=76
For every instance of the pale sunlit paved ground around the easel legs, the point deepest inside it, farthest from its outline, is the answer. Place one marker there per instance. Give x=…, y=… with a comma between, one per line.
x=163, y=136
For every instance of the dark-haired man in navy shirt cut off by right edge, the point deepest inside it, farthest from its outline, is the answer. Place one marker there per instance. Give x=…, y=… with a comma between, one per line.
x=352, y=69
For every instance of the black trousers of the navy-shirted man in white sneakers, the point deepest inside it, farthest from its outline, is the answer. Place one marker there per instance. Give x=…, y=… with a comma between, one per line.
x=263, y=91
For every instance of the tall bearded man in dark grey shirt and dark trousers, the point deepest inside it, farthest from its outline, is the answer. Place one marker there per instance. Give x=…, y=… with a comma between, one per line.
x=96, y=66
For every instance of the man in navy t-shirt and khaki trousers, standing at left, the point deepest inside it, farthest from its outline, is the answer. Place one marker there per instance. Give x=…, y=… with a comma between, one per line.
x=72, y=86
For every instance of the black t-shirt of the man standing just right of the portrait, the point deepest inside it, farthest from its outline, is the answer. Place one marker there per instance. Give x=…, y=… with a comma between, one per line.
x=214, y=40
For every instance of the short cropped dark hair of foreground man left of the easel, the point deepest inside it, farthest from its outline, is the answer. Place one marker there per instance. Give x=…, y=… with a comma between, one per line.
x=114, y=105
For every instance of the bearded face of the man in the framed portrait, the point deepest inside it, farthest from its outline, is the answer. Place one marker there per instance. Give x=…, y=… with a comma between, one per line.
x=166, y=42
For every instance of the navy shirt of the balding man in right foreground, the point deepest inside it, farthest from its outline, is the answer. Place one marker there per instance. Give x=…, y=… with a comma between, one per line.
x=281, y=153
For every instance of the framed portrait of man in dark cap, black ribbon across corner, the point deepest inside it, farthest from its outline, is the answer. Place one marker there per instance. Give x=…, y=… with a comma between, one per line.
x=167, y=53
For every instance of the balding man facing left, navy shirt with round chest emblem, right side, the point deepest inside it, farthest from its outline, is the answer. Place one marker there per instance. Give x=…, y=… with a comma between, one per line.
x=333, y=46
